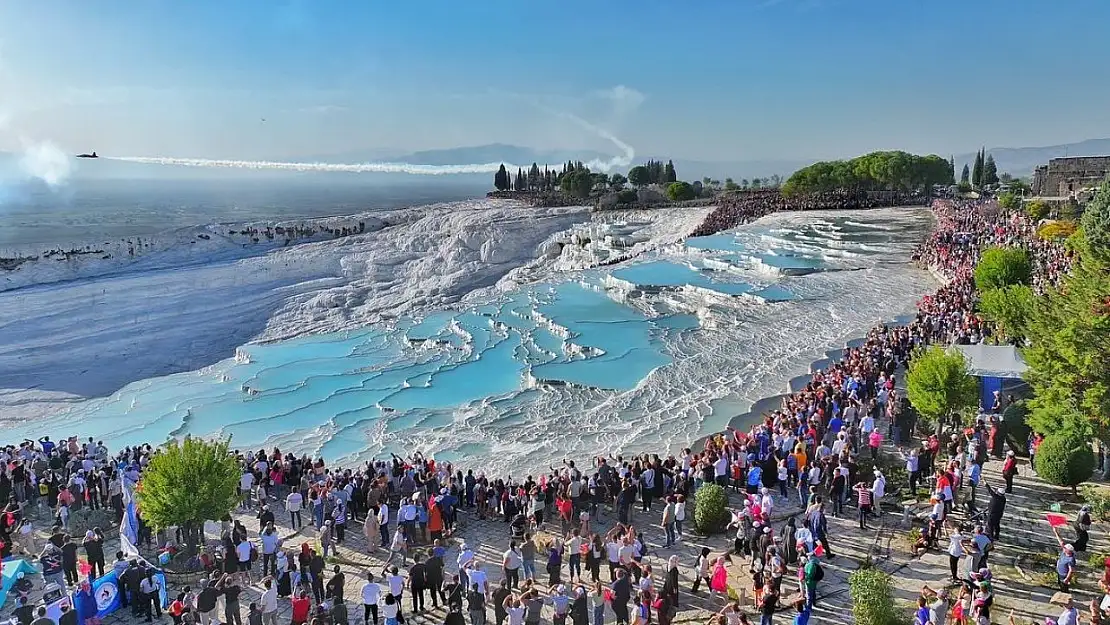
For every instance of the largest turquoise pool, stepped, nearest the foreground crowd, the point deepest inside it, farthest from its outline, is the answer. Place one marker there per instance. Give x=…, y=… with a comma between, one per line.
x=417, y=371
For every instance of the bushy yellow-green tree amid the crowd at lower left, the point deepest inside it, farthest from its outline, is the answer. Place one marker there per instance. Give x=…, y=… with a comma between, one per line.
x=189, y=483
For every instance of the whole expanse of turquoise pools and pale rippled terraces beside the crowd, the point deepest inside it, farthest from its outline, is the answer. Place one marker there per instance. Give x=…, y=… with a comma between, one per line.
x=601, y=360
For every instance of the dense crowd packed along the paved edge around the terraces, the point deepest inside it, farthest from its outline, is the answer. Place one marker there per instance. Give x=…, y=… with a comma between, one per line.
x=582, y=523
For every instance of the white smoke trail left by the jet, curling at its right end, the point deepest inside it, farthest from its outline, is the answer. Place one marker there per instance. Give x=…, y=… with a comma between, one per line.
x=622, y=160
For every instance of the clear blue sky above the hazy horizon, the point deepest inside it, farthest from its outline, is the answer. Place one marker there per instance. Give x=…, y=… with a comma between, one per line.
x=714, y=80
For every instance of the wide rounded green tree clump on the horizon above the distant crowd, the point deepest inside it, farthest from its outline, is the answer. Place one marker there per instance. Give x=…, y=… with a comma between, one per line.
x=899, y=172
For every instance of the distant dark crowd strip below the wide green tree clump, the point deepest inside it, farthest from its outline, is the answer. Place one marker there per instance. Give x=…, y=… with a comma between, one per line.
x=738, y=209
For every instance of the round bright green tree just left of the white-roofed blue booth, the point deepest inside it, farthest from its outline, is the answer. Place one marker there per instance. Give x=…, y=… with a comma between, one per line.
x=940, y=386
